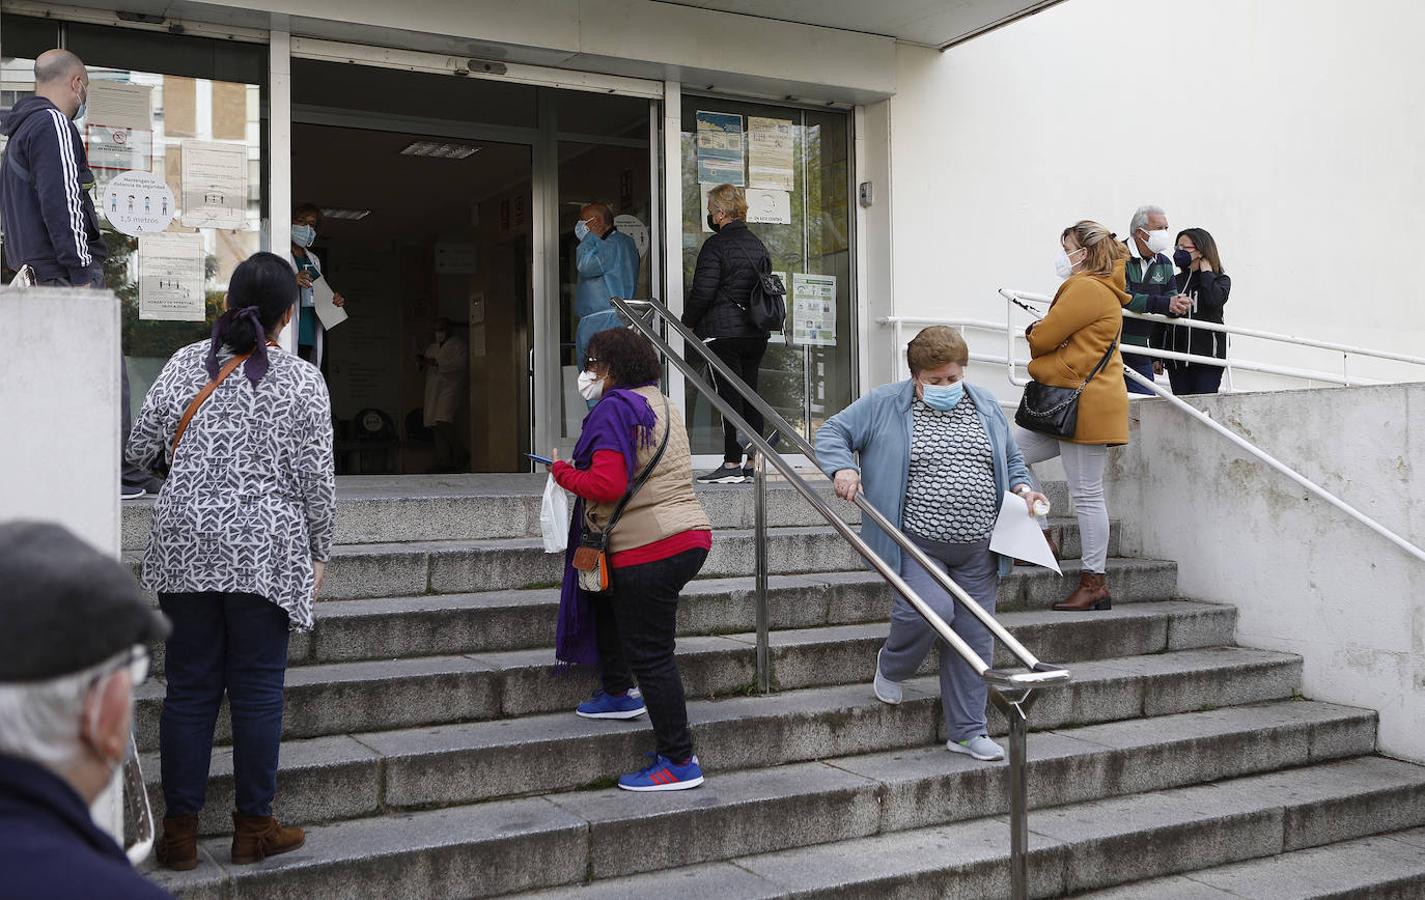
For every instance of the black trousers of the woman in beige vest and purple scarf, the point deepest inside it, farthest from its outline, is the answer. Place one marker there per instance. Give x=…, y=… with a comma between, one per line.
x=636, y=622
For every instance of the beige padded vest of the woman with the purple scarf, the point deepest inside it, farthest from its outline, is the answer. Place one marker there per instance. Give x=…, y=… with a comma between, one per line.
x=666, y=505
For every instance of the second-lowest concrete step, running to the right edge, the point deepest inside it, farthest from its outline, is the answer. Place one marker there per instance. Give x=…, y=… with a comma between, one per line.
x=1074, y=848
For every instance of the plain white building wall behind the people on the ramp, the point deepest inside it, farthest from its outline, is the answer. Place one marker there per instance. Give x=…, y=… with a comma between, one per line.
x=1289, y=129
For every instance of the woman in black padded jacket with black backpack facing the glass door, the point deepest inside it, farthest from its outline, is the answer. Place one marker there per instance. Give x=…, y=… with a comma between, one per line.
x=729, y=266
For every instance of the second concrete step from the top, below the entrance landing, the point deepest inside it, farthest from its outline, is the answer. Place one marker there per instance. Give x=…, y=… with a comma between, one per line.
x=358, y=572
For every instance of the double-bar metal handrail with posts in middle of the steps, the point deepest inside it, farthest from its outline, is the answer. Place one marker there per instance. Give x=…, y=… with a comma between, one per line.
x=1012, y=693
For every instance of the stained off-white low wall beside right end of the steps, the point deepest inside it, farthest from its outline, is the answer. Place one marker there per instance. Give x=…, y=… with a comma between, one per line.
x=1305, y=577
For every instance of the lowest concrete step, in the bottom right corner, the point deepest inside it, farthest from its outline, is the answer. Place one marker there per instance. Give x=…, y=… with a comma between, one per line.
x=1382, y=868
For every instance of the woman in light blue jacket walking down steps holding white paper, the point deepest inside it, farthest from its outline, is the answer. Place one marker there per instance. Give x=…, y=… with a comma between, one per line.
x=936, y=456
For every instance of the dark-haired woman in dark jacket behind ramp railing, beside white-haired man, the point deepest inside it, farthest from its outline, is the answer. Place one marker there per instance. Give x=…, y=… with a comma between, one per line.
x=1208, y=286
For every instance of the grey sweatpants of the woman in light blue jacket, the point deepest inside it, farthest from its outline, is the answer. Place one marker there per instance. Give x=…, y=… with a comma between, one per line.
x=963, y=693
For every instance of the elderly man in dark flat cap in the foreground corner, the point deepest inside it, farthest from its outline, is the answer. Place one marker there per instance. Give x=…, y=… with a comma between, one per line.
x=75, y=632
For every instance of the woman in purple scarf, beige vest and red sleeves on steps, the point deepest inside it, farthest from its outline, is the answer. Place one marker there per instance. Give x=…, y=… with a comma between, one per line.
x=655, y=549
